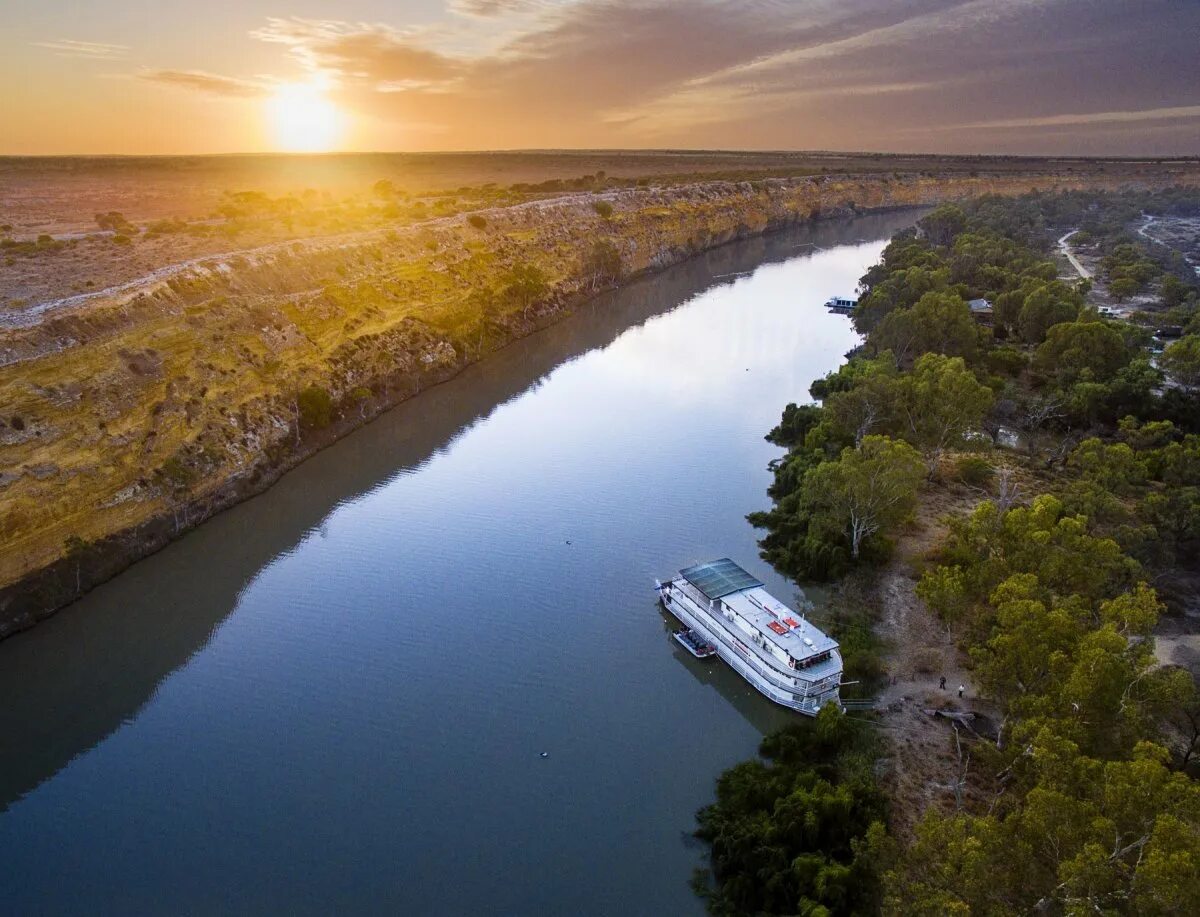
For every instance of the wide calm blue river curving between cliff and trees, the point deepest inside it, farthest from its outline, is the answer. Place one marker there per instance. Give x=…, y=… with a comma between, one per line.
x=335, y=698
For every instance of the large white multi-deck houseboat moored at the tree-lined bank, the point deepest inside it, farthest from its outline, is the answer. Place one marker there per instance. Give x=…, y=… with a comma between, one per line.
x=765, y=642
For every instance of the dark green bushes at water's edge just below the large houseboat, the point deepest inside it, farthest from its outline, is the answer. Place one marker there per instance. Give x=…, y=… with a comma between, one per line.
x=802, y=831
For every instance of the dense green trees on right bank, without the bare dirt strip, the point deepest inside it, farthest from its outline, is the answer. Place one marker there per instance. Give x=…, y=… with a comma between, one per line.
x=1096, y=805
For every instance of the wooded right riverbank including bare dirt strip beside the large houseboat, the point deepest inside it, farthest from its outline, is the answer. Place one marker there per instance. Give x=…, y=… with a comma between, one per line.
x=1013, y=594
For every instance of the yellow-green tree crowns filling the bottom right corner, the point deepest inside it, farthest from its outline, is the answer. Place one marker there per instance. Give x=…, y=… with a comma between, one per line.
x=1090, y=837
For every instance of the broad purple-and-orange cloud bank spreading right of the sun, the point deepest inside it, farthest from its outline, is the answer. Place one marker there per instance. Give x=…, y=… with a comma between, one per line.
x=950, y=75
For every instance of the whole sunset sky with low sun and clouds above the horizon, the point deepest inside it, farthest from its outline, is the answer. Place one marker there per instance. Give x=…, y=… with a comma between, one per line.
x=1093, y=77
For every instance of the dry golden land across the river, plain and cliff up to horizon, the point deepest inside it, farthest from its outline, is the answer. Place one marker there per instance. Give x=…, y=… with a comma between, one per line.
x=129, y=415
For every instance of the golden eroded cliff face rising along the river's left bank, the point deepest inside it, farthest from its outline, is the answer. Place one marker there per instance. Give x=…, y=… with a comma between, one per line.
x=133, y=415
